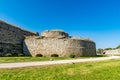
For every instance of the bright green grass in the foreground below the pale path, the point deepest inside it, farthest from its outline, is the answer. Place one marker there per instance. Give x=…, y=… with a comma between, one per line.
x=102, y=70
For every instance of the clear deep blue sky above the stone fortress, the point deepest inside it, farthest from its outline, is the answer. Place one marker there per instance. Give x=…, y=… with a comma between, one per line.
x=98, y=20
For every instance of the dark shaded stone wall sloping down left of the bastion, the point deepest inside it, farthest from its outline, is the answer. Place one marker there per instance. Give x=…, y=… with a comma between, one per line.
x=11, y=38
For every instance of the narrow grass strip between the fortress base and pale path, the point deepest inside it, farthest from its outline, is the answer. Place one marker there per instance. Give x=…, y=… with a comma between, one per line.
x=28, y=59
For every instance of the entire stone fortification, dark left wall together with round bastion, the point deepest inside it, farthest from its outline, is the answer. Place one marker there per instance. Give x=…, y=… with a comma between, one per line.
x=15, y=40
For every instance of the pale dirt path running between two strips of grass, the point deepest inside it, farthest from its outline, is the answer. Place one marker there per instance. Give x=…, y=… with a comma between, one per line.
x=25, y=64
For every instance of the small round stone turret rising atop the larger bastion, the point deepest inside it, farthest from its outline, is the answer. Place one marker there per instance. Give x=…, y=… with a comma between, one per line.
x=54, y=34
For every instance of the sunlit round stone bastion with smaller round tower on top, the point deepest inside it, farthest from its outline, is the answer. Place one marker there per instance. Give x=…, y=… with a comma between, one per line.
x=58, y=43
